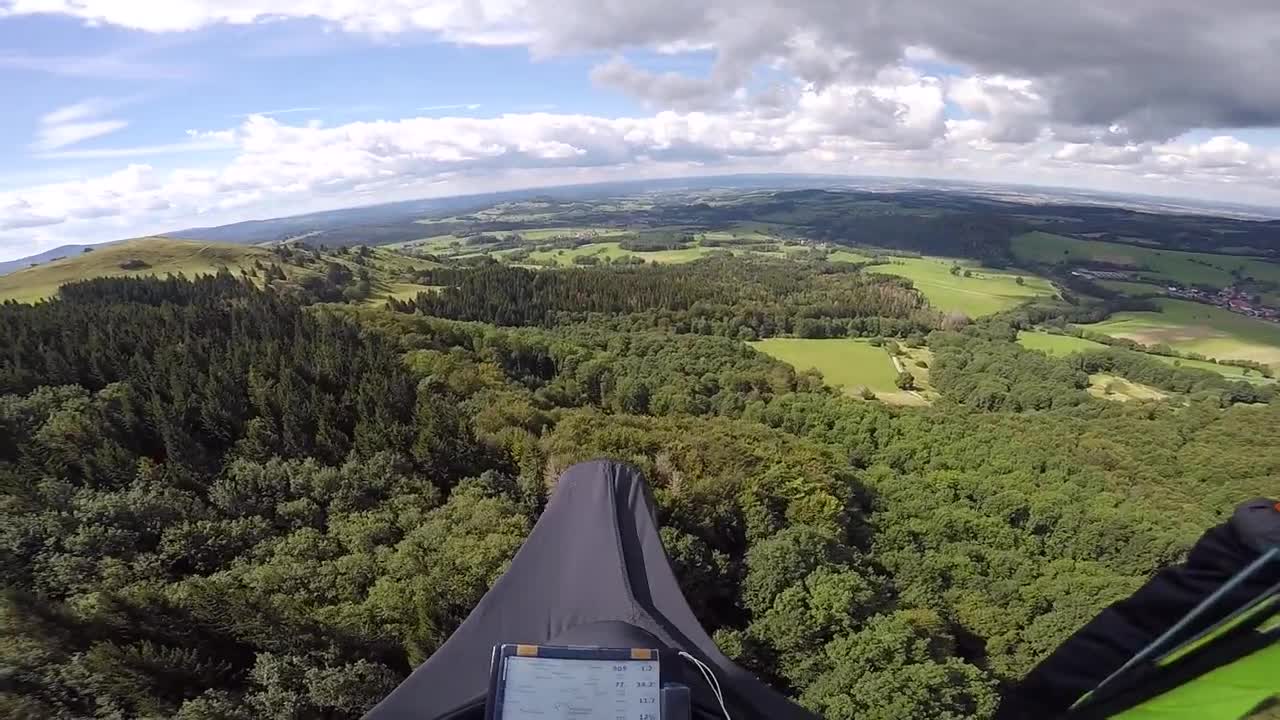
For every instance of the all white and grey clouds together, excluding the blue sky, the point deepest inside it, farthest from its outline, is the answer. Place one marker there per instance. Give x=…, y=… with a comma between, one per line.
x=1096, y=94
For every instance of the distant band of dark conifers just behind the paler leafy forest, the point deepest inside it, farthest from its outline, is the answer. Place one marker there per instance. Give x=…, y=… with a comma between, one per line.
x=742, y=298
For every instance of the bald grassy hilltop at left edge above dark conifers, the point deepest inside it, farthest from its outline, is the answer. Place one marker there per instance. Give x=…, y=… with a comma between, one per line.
x=161, y=256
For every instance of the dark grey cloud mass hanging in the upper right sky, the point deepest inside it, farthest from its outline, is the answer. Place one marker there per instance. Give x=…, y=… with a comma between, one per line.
x=1155, y=67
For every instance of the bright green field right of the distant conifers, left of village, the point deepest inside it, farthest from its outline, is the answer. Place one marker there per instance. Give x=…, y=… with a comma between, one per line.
x=986, y=293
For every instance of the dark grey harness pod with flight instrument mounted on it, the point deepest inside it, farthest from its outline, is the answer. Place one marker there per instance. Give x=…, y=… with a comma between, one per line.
x=592, y=584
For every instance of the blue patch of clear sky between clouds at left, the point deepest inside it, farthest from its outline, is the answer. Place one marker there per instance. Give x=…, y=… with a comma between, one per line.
x=213, y=79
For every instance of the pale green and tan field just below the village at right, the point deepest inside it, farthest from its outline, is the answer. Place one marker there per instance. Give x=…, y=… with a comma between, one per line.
x=1192, y=327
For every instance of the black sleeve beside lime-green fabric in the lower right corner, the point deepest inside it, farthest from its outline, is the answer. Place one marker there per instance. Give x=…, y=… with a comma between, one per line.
x=1126, y=628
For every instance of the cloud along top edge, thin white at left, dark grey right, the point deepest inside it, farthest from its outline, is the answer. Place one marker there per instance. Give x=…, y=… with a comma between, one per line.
x=1154, y=70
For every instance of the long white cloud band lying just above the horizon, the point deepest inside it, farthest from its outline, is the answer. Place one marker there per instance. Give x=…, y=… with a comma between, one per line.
x=893, y=125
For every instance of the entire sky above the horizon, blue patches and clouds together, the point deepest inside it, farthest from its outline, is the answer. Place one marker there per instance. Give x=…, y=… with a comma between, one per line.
x=129, y=117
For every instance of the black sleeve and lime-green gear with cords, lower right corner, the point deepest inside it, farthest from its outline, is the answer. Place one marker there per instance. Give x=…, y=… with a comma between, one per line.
x=1199, y=641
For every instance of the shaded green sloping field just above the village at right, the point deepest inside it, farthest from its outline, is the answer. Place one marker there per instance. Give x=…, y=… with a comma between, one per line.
x=1186, y=268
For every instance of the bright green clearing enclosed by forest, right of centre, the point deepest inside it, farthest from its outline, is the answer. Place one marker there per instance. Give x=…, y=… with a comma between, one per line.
x=848, y=364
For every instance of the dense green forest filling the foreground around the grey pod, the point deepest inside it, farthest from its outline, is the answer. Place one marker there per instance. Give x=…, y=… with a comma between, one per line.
x=227, y=503
